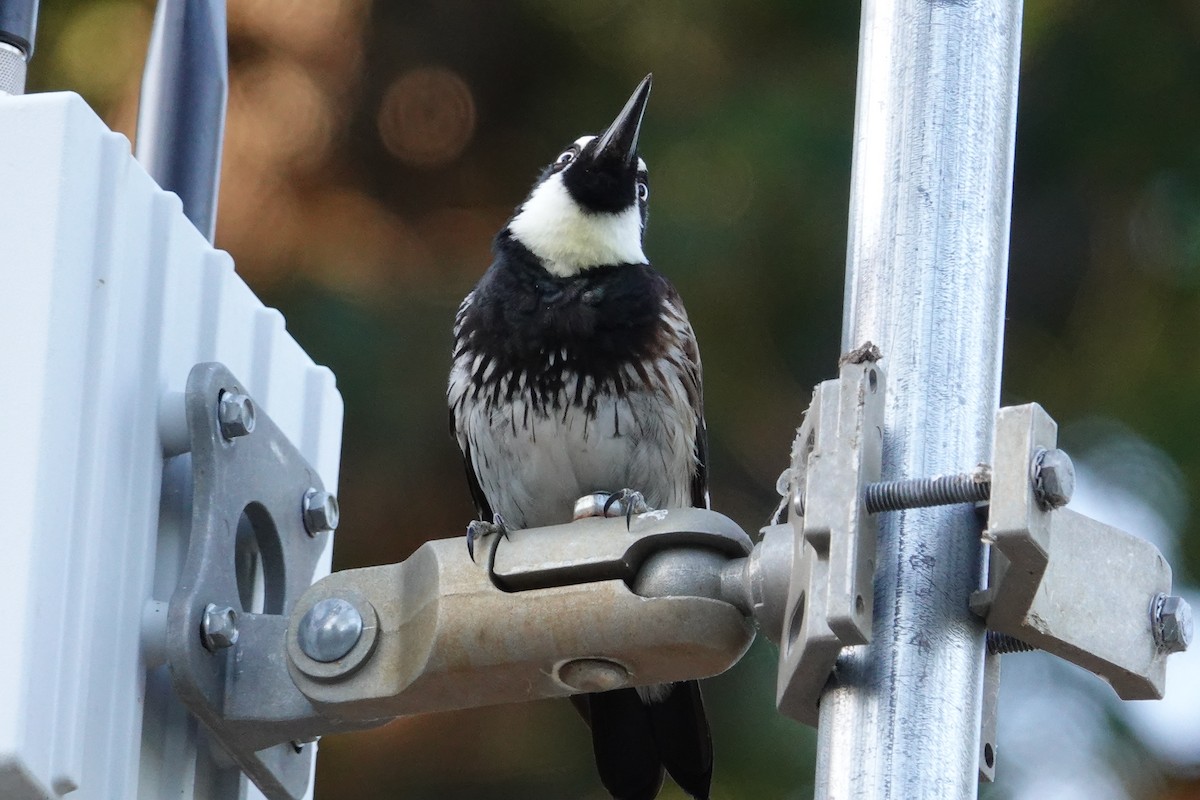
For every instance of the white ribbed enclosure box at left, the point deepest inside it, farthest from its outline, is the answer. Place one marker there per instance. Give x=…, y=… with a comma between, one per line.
x=110, y=298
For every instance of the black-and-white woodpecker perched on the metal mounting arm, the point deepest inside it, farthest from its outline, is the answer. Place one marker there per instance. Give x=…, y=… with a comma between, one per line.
x=577, y=371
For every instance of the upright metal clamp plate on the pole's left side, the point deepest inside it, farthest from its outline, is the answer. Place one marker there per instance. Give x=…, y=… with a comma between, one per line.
x=837, y=454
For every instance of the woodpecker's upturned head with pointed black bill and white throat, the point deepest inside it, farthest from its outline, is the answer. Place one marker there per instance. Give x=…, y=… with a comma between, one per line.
x=589, y=207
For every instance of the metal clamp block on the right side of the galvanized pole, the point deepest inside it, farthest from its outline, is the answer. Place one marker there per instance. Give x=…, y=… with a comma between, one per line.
x=1064, y=582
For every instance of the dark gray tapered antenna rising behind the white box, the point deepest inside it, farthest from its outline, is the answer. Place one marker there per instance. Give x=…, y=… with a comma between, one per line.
x=182, y=116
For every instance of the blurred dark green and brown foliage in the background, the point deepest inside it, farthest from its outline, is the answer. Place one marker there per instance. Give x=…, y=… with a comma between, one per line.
x=368, y=248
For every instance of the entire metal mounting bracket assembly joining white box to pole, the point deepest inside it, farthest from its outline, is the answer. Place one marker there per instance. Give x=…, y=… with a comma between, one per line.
x=607, y=603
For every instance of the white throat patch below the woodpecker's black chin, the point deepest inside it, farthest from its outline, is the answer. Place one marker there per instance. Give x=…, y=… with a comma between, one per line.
x=569, y=240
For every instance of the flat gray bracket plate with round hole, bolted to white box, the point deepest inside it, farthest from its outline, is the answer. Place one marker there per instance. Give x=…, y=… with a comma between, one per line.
x=249, y=490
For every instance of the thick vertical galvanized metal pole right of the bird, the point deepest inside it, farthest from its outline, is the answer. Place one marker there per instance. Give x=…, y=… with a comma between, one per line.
x=927, y=266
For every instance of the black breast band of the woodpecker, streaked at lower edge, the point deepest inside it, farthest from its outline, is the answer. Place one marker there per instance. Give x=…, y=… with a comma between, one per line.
x=537, y=332
